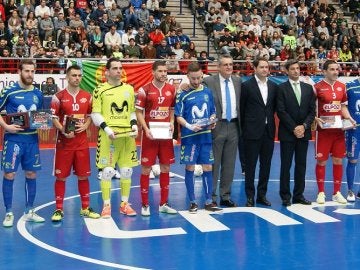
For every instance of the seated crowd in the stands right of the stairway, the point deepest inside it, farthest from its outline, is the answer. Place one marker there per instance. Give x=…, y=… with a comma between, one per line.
x=307, y=30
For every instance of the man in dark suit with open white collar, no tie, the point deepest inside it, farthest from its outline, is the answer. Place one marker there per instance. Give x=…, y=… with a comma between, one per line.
x=257, y=104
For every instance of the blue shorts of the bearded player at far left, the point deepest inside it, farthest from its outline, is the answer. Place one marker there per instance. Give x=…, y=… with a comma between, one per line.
x=14, y=153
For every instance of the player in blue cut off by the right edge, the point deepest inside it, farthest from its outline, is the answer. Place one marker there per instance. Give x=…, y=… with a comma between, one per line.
x=353, y=136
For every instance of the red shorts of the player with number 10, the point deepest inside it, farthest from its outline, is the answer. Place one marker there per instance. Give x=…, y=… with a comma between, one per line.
x=79, y=160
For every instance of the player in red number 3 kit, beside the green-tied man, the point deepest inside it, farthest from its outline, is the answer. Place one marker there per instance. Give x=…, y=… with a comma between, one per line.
x=331, y=101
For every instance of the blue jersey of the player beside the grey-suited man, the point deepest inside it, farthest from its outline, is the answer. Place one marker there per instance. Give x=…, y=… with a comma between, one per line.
x=195, y=106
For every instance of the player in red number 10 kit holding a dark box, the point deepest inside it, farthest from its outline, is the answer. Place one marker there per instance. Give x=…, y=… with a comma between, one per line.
x=72, y=150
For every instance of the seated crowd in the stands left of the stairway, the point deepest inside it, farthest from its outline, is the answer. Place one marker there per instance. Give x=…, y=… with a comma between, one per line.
x=62, y=29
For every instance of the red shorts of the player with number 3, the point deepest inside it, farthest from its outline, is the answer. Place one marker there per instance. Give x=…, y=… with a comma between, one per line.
x=330, y=142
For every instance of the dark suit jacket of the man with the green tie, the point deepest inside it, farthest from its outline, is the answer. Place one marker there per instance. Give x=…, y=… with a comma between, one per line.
x=291, y=114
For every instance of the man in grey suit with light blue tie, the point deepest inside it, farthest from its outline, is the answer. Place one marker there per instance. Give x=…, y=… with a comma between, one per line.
x=226, y=92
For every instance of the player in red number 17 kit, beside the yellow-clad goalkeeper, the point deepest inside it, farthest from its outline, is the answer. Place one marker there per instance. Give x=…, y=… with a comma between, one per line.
x=155, y=103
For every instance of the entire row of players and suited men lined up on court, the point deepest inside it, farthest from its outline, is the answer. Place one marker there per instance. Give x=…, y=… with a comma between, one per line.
x=214, y=114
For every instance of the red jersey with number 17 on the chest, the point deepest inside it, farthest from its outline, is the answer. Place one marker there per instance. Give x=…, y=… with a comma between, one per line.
x=155, y=102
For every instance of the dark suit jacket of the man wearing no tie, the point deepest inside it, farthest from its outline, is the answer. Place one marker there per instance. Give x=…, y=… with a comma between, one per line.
x=254, y=112
